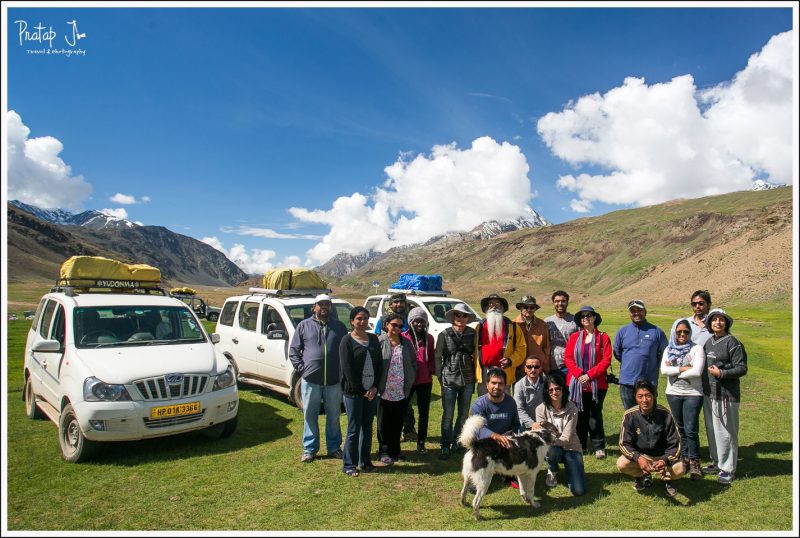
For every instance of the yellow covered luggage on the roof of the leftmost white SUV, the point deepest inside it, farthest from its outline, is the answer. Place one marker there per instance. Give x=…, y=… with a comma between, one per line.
x=100, y=272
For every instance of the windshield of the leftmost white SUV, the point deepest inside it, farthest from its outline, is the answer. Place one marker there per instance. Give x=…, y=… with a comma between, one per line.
x=107, y=326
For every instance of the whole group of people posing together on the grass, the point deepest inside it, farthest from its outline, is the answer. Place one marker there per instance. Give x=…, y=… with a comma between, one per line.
x=525, y=371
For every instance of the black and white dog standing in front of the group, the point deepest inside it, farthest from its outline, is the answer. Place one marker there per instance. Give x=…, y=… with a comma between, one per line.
x=486, y=458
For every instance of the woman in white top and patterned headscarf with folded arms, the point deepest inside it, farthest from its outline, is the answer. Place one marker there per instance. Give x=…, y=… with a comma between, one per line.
x=683, y=363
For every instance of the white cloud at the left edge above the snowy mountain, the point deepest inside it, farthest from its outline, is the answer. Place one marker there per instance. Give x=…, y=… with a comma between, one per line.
x=36, y=174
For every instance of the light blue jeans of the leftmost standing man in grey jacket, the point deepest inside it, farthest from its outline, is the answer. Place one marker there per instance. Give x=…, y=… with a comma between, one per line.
x=313, y=395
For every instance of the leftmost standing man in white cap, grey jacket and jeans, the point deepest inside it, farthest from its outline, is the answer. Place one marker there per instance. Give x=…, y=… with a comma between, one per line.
x=314, y=353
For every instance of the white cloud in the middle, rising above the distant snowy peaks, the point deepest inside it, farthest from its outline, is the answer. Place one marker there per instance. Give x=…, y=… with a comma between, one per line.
x=450, y=189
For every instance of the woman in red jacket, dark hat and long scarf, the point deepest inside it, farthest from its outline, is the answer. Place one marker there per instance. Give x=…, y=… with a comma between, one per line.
x=587, y=358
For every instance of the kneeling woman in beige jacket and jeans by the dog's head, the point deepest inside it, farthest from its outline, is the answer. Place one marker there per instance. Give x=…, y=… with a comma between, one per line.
x=558, y=410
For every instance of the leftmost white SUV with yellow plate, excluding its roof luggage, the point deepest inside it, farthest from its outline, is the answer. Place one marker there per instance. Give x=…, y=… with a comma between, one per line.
x=114, y=365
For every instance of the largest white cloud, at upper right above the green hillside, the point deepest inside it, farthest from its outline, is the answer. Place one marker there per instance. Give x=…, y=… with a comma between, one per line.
x=668, y=140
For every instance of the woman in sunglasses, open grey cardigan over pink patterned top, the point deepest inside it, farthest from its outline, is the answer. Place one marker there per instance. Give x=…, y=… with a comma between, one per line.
x=398, y=373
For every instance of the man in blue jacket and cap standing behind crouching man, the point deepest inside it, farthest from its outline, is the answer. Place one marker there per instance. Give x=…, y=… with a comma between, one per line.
x=638, y=347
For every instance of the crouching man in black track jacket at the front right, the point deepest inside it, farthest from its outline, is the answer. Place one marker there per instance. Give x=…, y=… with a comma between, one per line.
x=649, y=442
